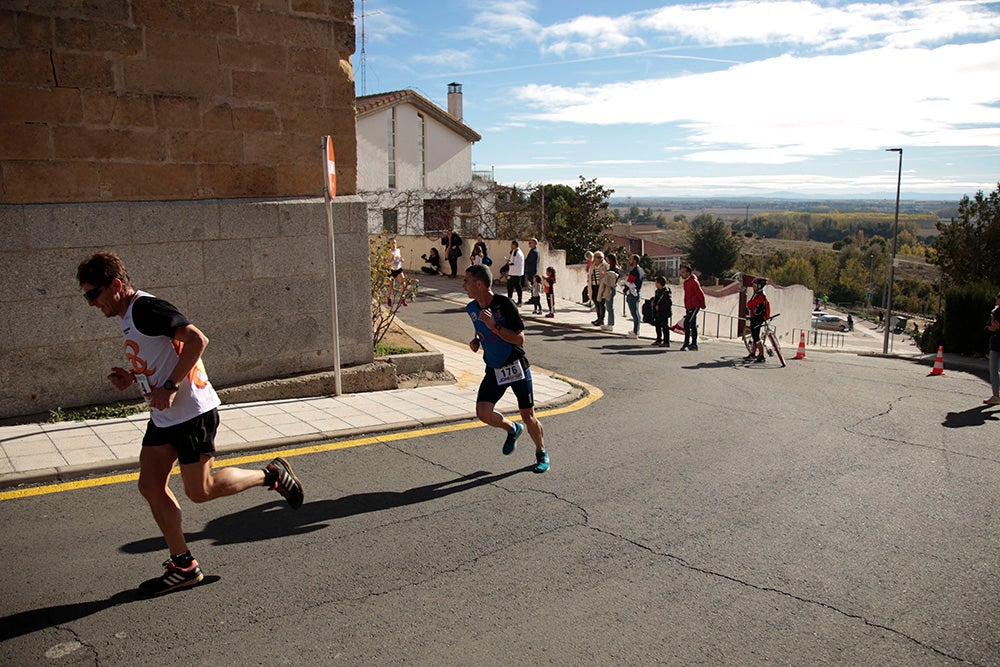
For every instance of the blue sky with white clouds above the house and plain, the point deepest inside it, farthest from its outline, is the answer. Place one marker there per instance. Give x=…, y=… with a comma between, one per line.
x=775, y=98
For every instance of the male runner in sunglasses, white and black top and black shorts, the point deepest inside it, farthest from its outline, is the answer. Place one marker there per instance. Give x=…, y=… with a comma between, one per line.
x=164, y=352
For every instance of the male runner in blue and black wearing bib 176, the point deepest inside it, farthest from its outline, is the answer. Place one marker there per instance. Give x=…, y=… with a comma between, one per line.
x=500, y=335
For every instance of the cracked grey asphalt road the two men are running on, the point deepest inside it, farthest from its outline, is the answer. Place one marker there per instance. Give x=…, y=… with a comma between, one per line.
x=837, y=511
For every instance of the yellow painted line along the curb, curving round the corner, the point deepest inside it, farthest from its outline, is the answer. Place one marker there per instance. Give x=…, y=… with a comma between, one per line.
x=593, y=395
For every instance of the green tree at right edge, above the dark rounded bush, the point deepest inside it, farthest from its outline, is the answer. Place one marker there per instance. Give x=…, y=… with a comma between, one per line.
x=968, y=249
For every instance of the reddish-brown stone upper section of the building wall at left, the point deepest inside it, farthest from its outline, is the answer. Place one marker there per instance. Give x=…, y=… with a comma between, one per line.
x=138, y=100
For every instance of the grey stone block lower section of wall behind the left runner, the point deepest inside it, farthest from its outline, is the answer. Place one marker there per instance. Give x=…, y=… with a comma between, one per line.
x=252, y=274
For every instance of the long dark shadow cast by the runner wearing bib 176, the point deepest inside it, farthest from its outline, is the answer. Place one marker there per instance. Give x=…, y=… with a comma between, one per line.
x=274, y=520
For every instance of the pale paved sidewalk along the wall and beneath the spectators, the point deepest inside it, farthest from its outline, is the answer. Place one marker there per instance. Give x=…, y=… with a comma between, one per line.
x=34, y=453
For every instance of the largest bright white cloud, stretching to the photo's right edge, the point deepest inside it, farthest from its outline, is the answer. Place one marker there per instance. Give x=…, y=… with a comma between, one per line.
x=787, y=108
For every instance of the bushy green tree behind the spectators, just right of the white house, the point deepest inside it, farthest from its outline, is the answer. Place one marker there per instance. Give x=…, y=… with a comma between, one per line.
x=580, y=219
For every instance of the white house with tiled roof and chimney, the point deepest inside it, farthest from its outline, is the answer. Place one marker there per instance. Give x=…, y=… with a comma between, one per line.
x=415, y=165
